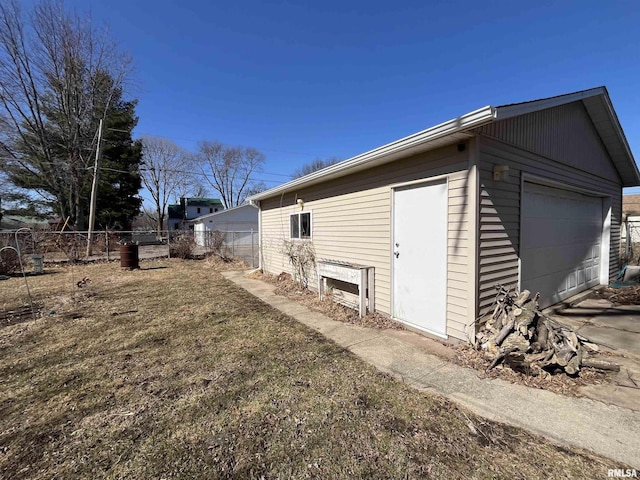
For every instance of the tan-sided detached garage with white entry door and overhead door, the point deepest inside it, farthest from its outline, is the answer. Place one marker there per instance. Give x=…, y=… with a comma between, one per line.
x=527, y=195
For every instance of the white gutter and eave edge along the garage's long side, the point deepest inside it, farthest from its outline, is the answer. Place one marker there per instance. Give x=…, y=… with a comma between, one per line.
x=459, y=124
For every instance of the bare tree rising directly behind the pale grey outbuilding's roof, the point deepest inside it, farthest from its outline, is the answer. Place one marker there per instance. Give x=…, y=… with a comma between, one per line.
x=228, y=170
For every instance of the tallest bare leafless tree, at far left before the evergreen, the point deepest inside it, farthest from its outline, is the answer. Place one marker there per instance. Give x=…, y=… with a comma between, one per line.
x=58, y=76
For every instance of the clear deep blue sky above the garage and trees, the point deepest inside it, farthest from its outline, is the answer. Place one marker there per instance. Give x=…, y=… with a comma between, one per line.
x=305, y=80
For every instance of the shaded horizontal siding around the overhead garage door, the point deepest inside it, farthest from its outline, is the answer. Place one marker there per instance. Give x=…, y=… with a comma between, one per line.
x=499, y=214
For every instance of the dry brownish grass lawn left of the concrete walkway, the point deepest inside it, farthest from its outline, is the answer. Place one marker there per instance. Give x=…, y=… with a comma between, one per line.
x=173, y=372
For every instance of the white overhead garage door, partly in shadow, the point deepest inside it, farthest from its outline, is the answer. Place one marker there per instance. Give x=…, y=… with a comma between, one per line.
x=560, y=242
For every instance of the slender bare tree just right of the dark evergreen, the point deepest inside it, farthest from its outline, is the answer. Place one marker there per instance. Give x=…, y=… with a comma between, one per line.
x=167, y=173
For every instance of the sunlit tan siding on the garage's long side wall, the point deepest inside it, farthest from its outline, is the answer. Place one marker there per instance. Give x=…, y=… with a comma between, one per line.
x=351, y=221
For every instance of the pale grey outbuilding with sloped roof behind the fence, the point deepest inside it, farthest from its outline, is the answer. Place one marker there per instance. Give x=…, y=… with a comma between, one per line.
x=238, y=219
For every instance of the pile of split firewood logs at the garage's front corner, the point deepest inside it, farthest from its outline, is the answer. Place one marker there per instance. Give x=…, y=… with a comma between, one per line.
x=521, y=337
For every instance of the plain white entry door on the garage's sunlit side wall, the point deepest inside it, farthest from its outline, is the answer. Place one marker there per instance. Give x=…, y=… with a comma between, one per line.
x=419, y=256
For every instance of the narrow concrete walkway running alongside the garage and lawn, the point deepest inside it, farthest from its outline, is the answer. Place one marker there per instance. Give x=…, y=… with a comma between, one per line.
x=607, y=430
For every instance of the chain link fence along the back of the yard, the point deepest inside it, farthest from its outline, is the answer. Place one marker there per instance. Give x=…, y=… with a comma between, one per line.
x=46, y=246
